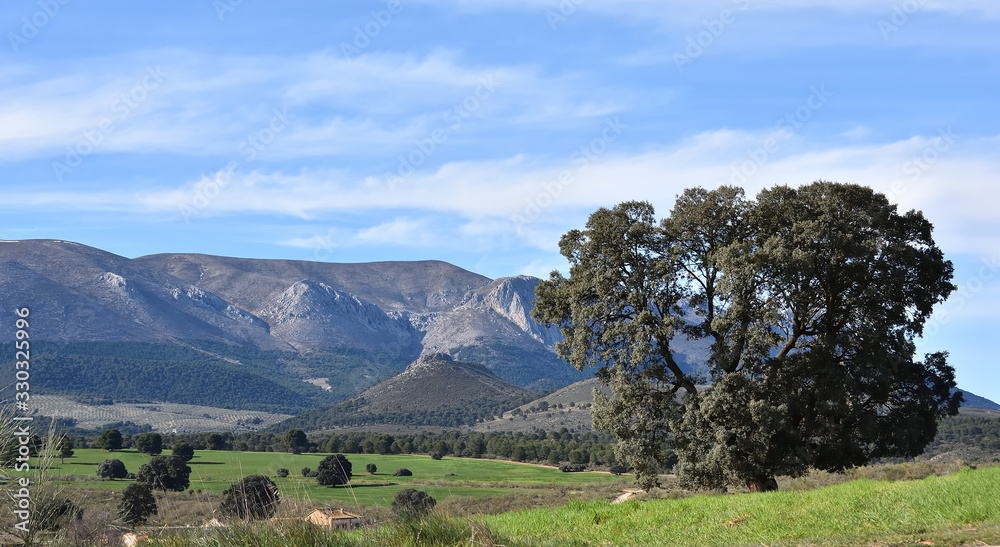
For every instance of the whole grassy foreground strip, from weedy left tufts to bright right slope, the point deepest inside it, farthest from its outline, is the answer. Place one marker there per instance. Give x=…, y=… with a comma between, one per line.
x=958, y=509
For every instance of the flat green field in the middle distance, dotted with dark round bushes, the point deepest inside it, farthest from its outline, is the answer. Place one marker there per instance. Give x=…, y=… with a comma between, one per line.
x=214, y=471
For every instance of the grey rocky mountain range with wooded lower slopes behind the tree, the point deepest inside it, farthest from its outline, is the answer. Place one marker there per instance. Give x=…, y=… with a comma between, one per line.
x=378, y=340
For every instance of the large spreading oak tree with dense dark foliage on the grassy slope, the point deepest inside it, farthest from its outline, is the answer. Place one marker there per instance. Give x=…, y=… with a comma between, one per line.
x=810, y=300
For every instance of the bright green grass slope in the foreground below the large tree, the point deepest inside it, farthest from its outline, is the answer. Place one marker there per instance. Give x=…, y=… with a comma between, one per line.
x=961, y=507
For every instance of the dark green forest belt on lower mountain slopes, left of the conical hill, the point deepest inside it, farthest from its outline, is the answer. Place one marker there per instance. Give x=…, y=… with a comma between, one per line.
x=134, y=372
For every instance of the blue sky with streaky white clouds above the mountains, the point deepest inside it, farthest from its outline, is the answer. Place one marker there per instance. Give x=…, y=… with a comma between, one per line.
x=478, y=131
